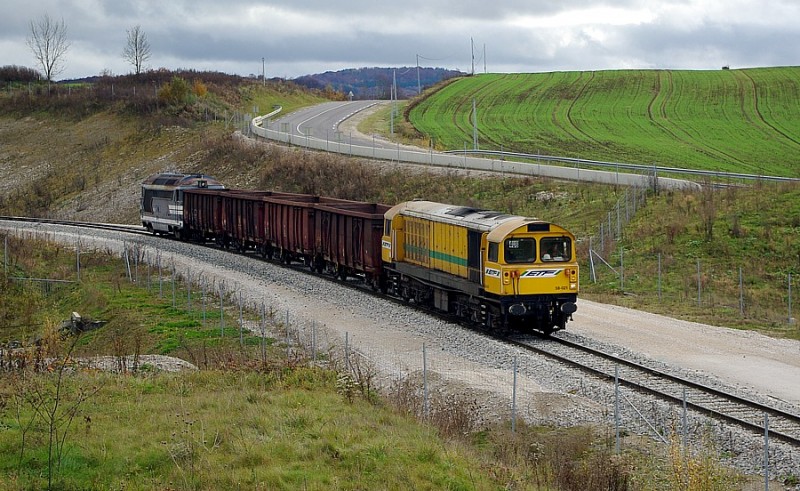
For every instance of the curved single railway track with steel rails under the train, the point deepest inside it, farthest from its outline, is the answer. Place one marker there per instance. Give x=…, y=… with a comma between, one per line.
x=704, y=399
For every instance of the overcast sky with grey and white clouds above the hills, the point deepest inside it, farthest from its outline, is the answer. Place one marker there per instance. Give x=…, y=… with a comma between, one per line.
x=302, y=37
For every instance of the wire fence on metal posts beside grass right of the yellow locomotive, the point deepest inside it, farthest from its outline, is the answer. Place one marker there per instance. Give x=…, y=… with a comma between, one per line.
x=749, y=291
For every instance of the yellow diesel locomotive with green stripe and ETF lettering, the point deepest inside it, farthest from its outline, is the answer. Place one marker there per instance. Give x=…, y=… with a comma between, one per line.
x=501, y=271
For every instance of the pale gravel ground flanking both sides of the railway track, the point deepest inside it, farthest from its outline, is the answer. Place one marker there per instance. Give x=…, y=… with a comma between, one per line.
x=392, y=337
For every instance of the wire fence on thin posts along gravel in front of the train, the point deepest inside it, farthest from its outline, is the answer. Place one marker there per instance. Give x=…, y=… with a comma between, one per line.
x=432, y=382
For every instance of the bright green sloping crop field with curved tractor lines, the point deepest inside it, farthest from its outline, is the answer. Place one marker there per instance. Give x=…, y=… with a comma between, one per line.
x=745, y=121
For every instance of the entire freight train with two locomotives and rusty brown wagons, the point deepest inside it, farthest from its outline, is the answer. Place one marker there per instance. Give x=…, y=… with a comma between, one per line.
x=500, y=271
